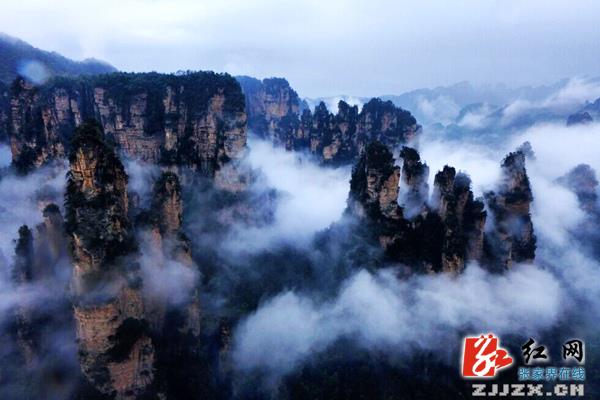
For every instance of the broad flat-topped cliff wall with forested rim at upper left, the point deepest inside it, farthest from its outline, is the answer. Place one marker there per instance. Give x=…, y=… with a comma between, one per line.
x=195, y=120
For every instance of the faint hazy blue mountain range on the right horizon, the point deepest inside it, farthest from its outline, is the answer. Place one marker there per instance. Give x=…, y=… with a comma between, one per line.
x=490, y=111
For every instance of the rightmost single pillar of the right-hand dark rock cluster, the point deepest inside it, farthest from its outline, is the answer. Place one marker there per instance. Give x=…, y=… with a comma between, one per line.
x=512, y=239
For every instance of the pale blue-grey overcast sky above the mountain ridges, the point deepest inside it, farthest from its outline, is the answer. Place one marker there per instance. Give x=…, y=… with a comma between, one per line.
x=325, y=47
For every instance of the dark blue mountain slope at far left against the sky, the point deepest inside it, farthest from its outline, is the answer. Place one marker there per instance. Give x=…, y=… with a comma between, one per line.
x=20, y=58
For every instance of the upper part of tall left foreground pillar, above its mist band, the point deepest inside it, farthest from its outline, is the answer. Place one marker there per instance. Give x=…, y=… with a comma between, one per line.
x=97, y=203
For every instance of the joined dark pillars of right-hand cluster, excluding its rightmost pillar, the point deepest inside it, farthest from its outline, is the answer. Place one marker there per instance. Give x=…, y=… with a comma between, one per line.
x=439, y=238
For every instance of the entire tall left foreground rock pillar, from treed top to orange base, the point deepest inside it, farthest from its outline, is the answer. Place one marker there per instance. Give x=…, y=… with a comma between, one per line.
x=115, y=350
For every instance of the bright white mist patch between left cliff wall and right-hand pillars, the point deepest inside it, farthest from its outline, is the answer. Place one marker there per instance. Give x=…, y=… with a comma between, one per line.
x=309, y=198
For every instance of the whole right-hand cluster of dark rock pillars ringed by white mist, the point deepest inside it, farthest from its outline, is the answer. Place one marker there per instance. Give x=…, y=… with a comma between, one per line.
x=444, y=232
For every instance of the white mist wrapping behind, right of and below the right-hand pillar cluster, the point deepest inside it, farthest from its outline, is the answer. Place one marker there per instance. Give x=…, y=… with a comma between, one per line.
x=378, y=311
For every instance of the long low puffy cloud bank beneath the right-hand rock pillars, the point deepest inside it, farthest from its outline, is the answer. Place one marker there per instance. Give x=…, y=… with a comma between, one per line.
x=381, y=312
